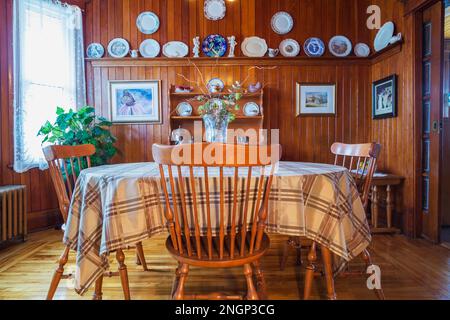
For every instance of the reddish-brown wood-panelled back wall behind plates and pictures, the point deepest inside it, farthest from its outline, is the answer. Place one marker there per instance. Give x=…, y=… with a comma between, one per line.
x=306, y=139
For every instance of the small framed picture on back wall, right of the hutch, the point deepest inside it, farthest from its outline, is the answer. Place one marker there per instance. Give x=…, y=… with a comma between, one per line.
x=316, y=99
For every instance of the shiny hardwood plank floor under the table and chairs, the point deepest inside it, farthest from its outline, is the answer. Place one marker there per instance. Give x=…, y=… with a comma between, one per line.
x=411, y=269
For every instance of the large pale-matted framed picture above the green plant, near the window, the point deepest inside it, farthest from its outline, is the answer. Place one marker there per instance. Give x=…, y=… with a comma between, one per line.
x=135, y=101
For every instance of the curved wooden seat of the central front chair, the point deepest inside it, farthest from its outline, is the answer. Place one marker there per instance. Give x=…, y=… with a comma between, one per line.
x=215, y=262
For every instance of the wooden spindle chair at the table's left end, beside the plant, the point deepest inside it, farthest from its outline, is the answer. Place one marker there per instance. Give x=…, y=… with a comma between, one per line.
x=65, y=164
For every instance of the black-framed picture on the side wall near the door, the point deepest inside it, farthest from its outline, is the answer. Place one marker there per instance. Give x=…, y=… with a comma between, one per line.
x=384, y=97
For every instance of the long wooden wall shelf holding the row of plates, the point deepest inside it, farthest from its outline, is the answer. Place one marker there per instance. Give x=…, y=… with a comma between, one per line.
x=245, y=61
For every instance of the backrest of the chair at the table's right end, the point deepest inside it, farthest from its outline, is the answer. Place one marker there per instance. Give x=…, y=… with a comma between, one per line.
x=361, y=160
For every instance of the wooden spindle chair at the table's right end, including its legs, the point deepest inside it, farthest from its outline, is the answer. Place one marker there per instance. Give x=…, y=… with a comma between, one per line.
x=361, y=160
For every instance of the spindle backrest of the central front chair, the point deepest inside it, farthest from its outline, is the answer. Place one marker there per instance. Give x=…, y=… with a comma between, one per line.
x=239, y=158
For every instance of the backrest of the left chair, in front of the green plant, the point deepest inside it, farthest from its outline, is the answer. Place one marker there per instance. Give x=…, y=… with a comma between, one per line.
x=65, y=163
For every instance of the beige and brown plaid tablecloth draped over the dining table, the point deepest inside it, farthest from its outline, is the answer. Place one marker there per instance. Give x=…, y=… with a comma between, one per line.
x=119, y=205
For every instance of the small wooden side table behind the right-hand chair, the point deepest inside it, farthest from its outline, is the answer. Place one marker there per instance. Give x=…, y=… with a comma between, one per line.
x=389, y=182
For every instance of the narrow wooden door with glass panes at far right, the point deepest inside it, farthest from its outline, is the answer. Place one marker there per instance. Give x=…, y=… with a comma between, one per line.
x=432, y=49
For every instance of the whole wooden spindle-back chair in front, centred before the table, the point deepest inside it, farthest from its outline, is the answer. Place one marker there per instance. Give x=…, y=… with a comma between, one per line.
x=239, y=240
